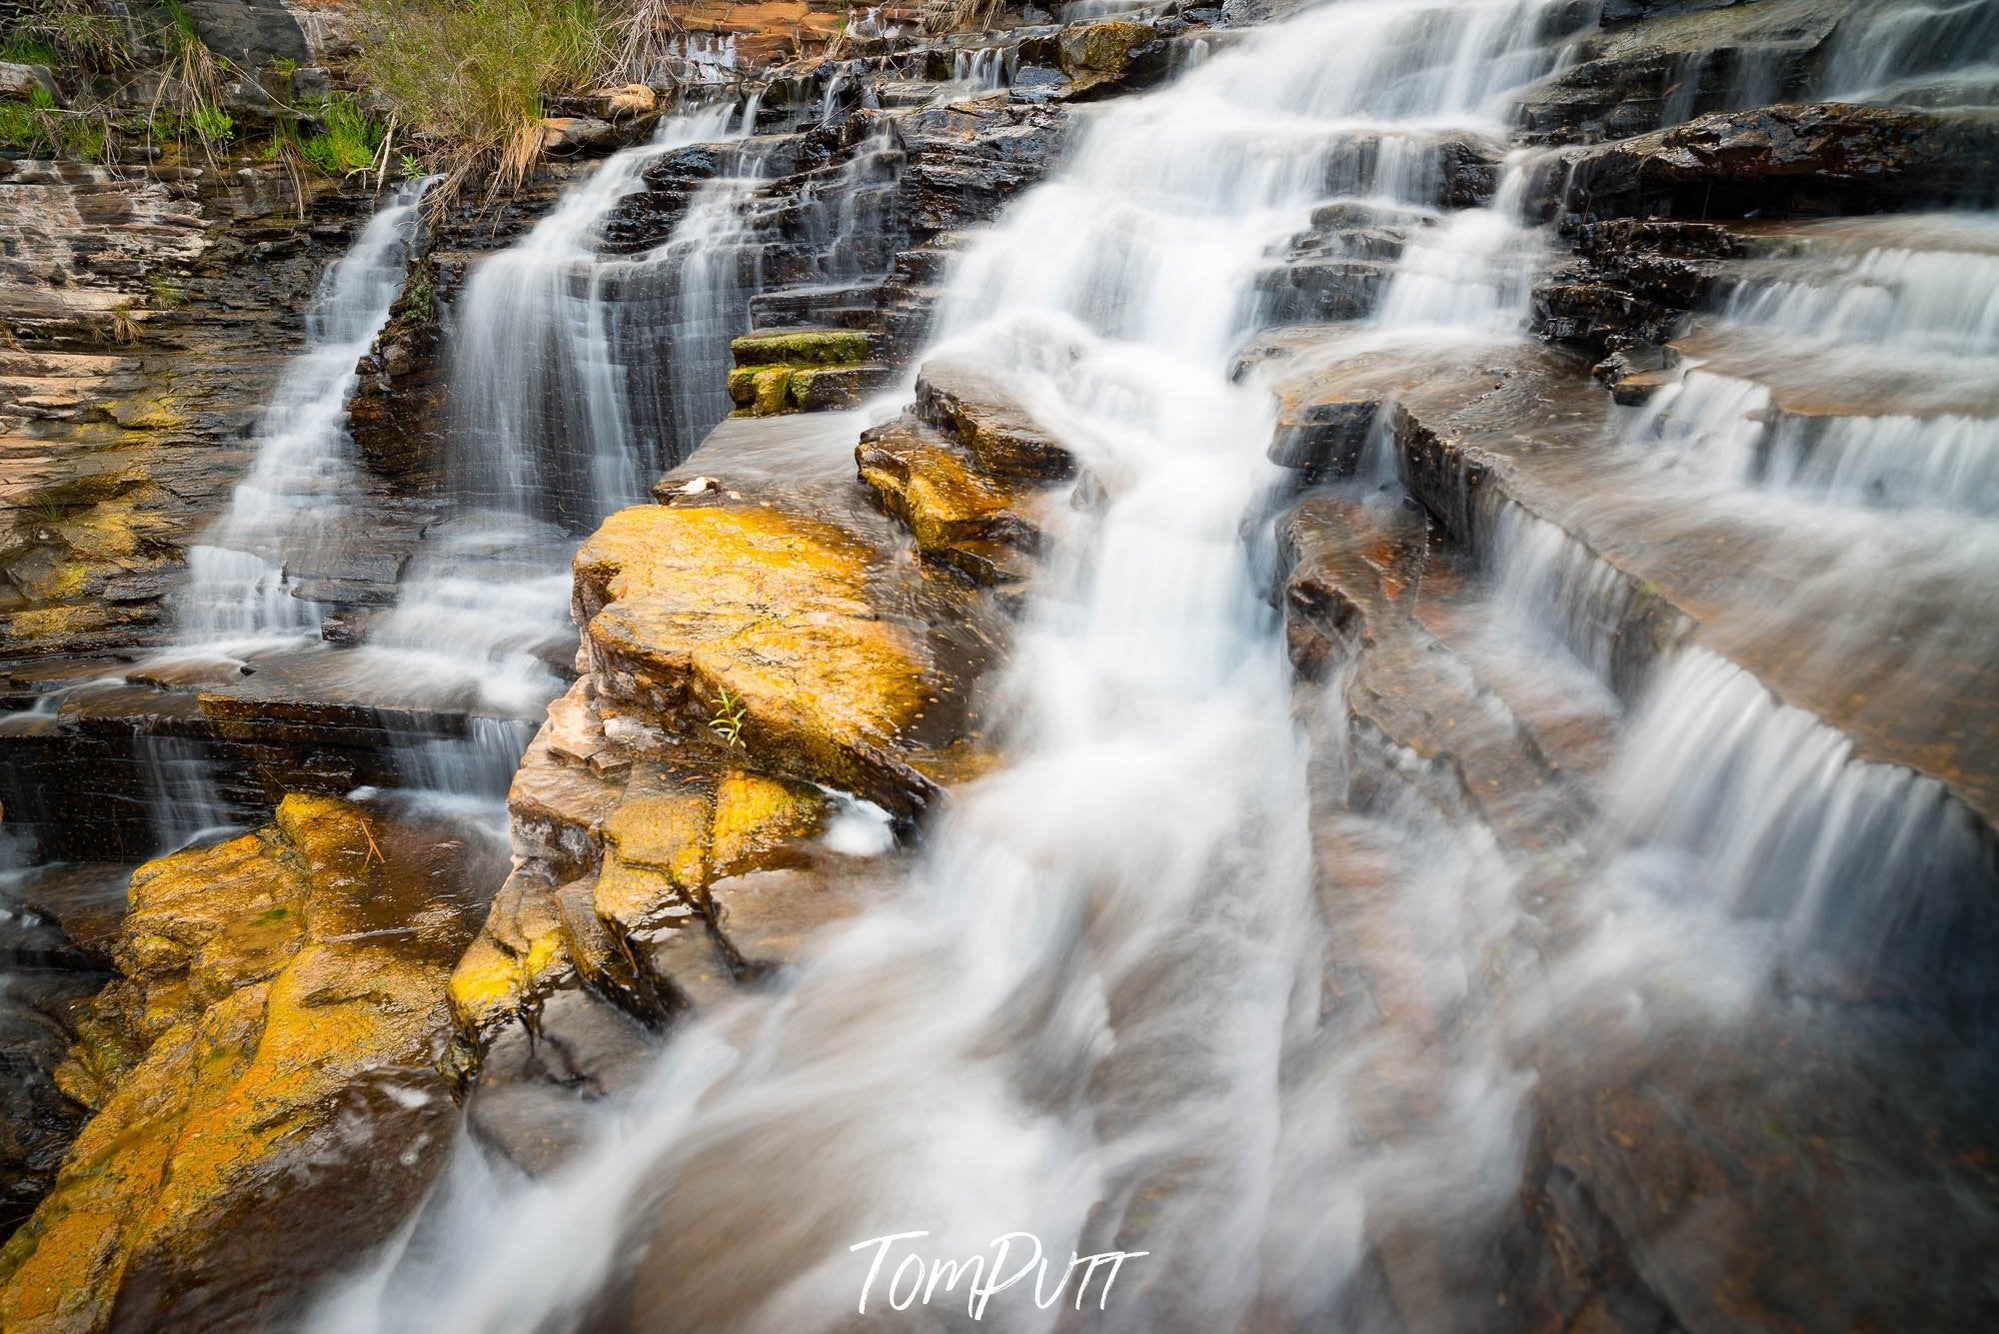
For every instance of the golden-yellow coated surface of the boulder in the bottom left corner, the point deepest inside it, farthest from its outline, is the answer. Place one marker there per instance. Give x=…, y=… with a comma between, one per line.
x=257, y=985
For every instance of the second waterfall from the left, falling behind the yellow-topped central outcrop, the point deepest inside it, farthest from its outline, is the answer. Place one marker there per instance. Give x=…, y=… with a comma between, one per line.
x=555, y=427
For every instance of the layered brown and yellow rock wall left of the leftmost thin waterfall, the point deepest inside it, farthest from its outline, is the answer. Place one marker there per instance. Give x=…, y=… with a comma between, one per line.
x=151, y=319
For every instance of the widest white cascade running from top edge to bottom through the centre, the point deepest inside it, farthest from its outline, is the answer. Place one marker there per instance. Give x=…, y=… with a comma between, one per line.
x=1094, y=1011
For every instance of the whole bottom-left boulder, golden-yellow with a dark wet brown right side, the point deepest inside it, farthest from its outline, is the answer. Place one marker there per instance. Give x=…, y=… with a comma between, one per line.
x=269, y=1075
